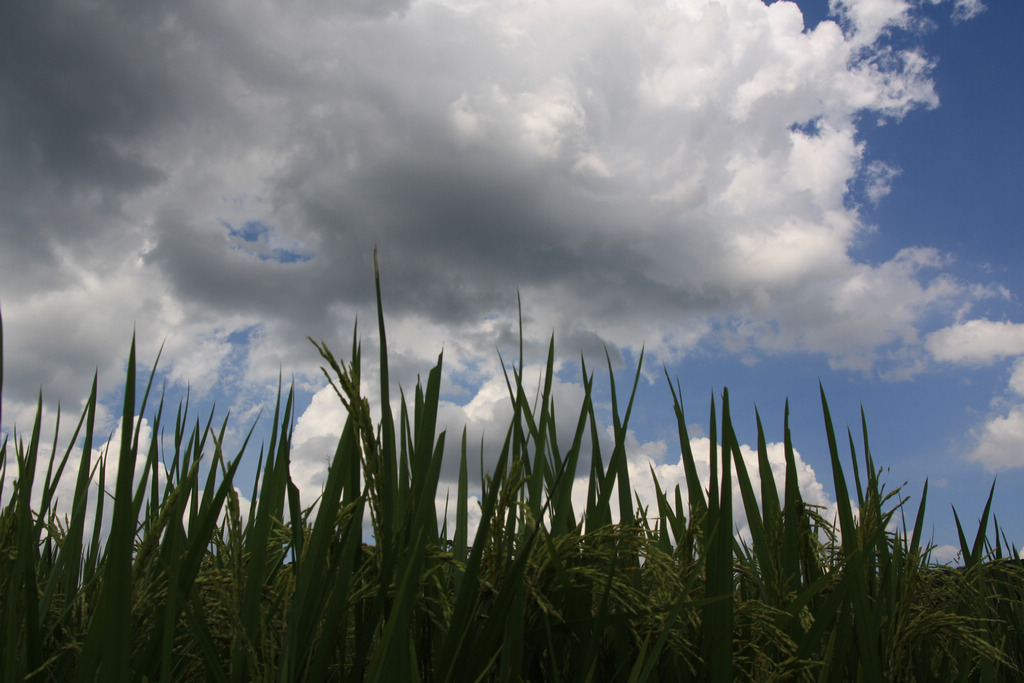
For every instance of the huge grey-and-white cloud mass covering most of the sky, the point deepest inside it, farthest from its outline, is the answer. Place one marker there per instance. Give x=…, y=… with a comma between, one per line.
x=669, y=174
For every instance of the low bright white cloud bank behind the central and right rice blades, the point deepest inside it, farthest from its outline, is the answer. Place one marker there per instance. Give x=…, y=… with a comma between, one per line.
x=487, y=417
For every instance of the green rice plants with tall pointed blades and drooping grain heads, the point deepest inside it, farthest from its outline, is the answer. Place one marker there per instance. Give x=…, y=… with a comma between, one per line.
x=157, y=574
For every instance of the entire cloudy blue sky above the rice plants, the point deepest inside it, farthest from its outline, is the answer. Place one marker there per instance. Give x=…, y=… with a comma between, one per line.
x=761, y=197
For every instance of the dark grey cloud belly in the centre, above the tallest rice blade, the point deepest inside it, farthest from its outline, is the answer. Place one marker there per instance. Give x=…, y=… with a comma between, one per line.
x=461, y=230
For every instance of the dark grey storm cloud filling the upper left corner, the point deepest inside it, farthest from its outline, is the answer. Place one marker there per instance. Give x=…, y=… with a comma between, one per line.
x=91, y=93
